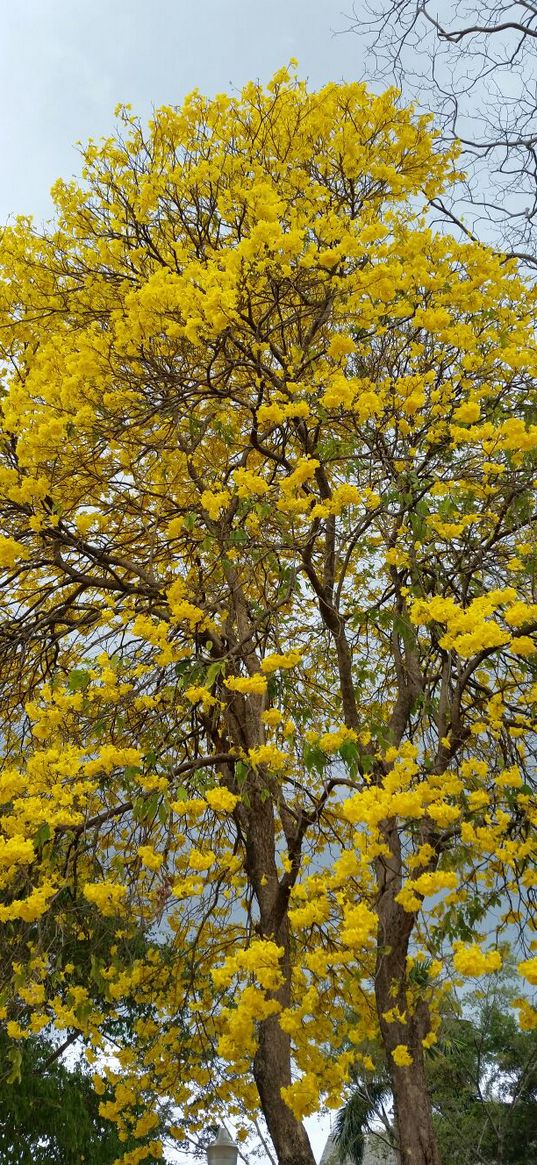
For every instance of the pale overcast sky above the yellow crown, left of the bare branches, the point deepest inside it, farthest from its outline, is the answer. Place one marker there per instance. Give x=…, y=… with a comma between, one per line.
x=65, y=65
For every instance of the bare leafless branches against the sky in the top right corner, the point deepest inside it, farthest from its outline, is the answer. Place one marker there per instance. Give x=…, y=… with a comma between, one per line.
x=475, y=67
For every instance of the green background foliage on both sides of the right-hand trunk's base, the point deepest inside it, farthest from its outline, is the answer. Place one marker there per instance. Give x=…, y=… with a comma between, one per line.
x=483, y=1081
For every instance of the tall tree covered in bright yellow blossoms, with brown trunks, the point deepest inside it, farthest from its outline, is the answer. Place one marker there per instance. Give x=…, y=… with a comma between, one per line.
x=268, y=618
